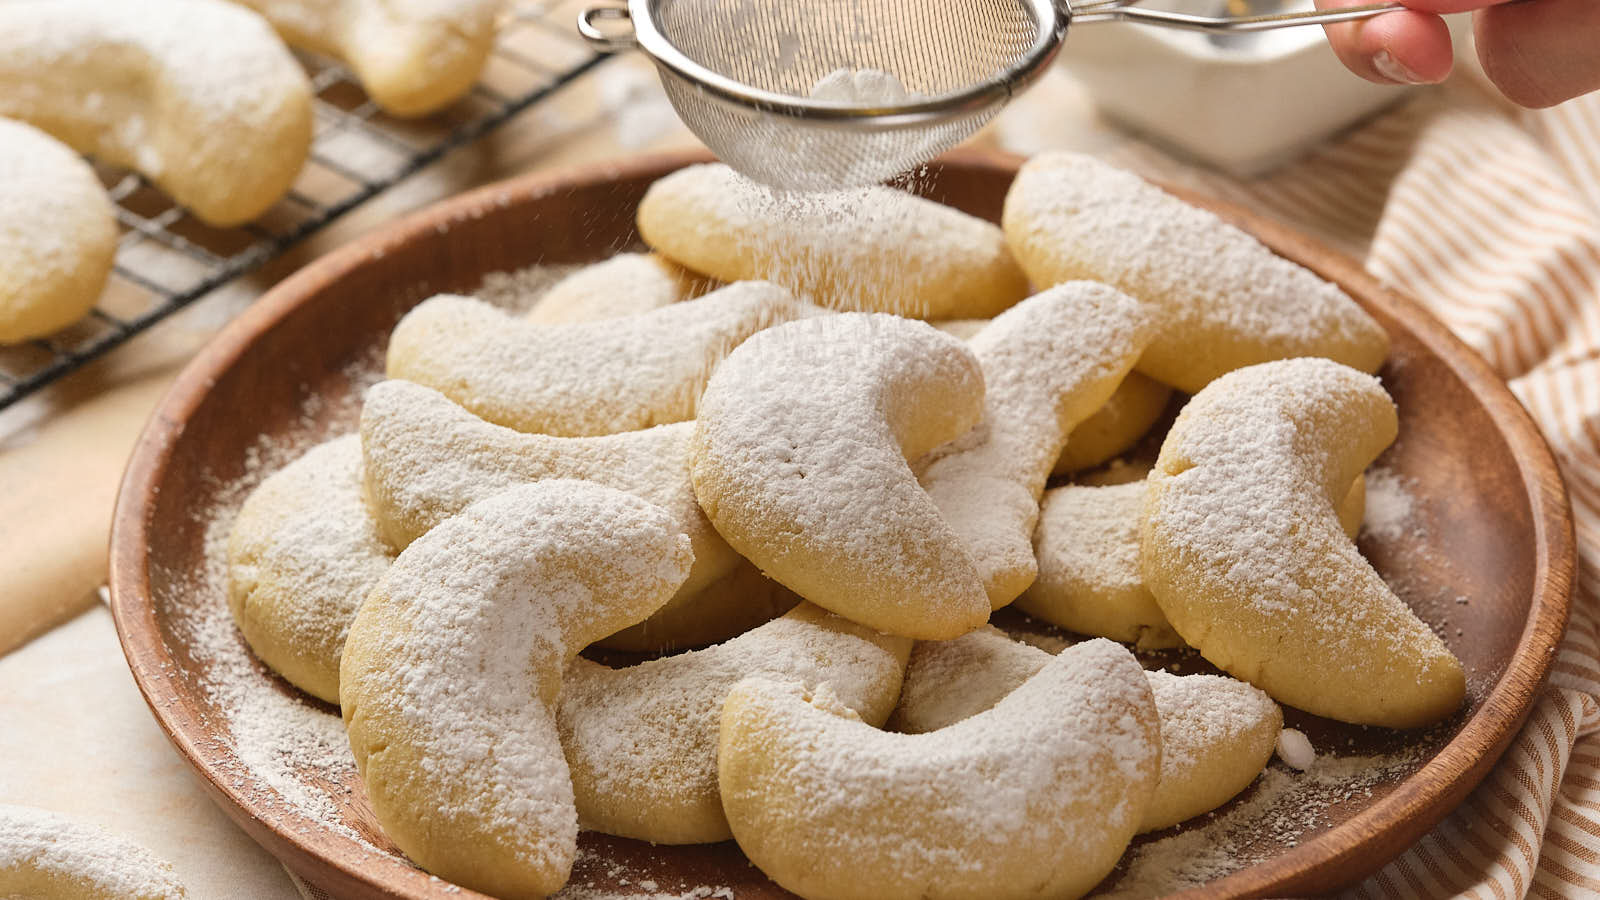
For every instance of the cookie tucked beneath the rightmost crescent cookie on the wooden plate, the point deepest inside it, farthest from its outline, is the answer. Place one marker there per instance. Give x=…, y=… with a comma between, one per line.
x=1087, y=545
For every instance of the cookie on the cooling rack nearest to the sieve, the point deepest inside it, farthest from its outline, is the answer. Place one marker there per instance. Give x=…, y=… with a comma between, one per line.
x=412, y=57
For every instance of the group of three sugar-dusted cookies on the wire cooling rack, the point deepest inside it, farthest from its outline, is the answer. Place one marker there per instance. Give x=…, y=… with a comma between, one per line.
x=199, y=97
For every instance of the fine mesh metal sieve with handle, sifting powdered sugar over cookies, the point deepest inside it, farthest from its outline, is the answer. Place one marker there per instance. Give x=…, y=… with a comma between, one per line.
x=742, y=73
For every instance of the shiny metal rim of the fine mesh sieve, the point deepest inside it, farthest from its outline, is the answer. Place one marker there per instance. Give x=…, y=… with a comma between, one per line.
x=1052, y=17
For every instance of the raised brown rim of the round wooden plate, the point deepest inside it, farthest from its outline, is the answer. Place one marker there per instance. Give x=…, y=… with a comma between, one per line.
x=1337, y=858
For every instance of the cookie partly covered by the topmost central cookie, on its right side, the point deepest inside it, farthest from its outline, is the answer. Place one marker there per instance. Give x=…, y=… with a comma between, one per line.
x=1049, y=364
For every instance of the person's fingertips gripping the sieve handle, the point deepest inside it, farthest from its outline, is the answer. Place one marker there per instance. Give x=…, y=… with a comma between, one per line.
x=1537, y=52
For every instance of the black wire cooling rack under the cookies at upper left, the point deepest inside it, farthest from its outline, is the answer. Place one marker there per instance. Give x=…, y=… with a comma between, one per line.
x=167, y=259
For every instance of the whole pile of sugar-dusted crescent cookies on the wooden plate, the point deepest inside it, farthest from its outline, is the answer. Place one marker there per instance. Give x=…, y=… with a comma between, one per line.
x=807, y=504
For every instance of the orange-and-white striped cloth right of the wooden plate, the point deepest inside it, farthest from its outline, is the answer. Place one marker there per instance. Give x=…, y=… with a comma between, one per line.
x=1492, y=219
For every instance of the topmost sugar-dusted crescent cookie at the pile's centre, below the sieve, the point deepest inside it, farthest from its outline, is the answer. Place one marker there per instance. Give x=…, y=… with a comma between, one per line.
x=801, y=462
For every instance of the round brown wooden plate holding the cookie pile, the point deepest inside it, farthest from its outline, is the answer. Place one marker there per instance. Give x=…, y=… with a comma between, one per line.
x=1489, y=561
